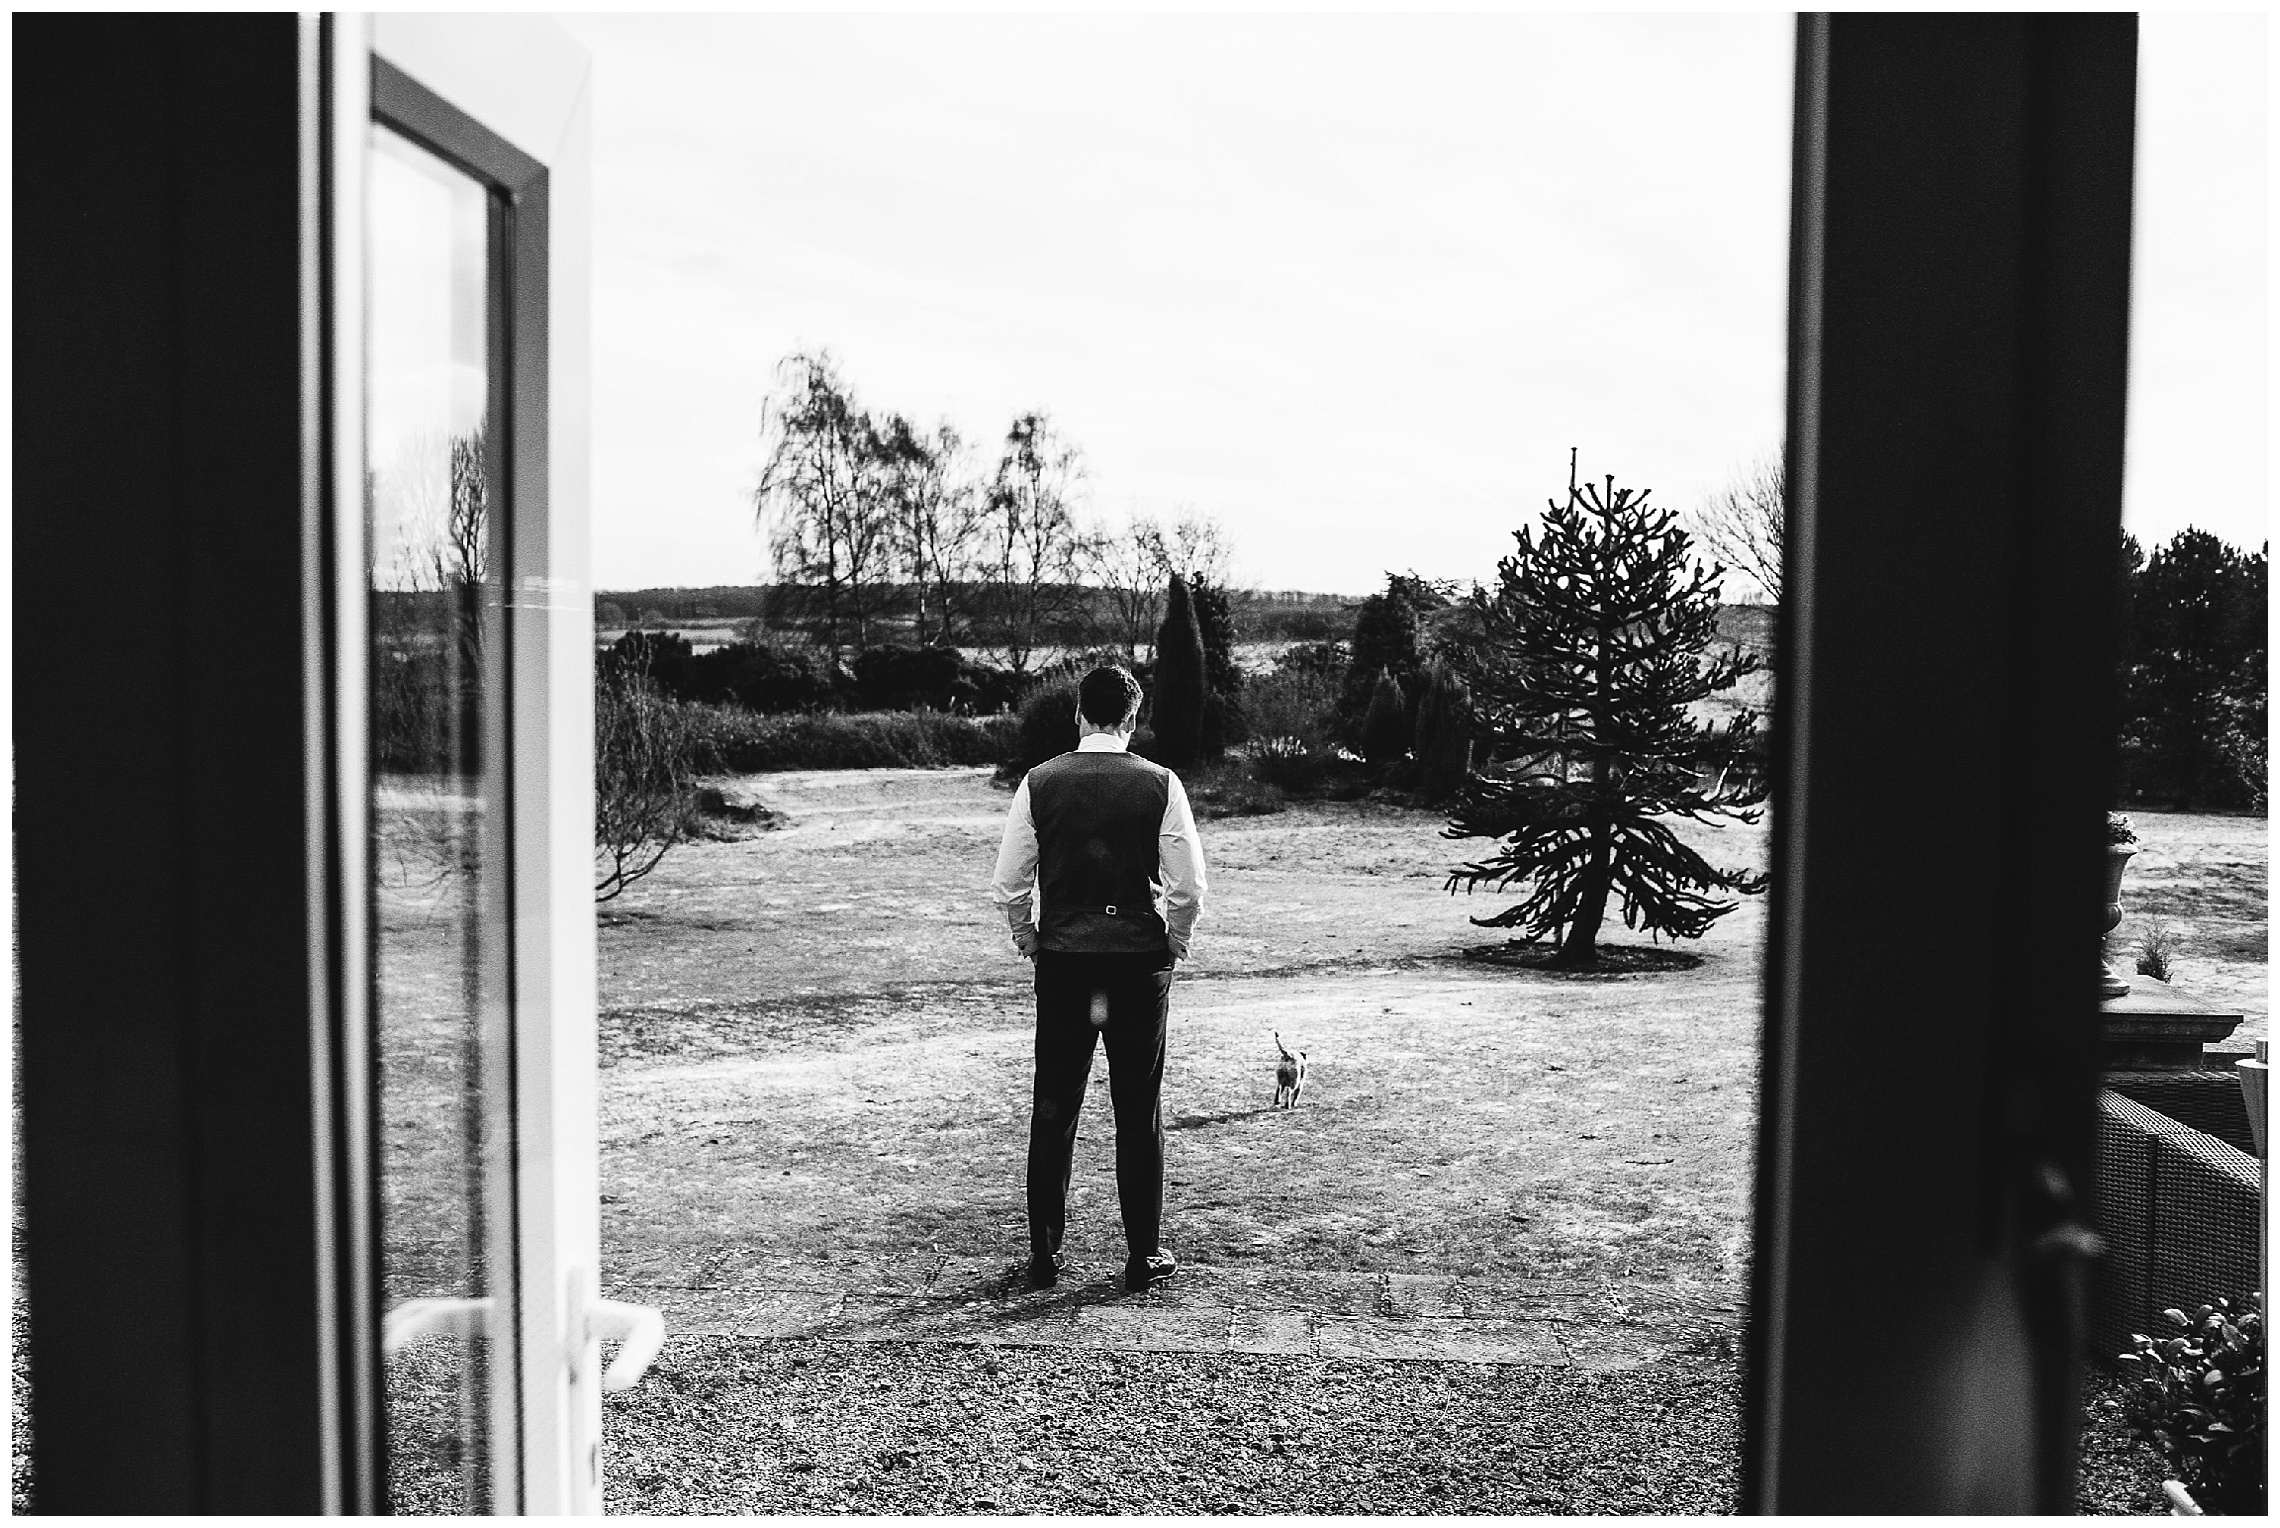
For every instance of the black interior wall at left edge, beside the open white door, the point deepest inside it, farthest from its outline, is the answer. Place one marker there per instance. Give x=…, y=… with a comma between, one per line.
x=163, y=888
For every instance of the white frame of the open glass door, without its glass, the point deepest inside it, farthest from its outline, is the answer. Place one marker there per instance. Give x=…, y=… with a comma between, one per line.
x=528, y=83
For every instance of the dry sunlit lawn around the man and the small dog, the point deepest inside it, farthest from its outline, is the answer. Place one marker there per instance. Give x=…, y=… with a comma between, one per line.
x=817, y=1080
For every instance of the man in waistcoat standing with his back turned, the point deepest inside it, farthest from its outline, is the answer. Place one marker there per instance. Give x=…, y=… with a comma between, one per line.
x=1118, y=875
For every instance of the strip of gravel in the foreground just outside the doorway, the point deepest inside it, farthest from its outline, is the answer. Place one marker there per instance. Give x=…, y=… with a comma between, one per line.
x=804, y=1427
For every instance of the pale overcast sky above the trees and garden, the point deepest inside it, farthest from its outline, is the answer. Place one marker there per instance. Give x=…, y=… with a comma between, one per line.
x=1351, y=284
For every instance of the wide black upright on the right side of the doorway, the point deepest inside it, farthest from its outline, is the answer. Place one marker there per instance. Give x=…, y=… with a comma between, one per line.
x=1957, y=382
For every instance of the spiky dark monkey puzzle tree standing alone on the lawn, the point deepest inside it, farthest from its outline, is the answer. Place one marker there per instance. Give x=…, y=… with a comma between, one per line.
x=1595, y=653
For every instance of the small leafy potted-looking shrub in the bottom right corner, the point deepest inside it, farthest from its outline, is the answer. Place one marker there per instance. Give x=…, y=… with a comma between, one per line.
x=2199, y=1399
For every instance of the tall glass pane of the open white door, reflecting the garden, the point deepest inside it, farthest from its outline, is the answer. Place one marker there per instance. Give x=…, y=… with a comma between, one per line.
x=434, y=619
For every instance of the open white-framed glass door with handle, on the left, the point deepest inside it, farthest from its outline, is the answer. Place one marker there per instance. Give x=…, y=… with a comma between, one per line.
x=462, y=188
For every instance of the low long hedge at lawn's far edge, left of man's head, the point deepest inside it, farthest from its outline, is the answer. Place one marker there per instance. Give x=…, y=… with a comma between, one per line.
x=728, y=740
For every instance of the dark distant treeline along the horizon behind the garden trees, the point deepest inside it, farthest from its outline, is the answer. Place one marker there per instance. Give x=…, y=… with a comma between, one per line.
x=1264, y=615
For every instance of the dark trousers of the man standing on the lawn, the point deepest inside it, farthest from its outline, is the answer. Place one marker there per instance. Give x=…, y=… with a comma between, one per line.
x=1139, y=991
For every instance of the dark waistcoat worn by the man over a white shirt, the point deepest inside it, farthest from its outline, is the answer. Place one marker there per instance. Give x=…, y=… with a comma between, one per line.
x=1098, y=824
